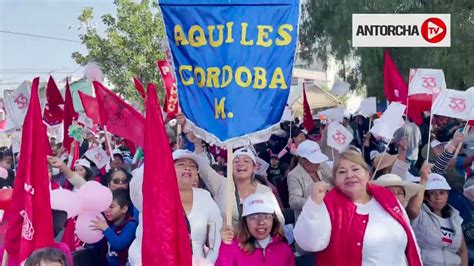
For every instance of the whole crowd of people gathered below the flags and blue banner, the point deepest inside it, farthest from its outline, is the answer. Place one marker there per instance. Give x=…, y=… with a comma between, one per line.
x=297, y=201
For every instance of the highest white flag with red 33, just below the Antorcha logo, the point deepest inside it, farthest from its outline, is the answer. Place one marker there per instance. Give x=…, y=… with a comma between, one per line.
x=426, y=81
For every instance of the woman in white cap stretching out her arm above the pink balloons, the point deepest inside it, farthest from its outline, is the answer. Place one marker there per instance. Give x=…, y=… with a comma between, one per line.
x=81, y=174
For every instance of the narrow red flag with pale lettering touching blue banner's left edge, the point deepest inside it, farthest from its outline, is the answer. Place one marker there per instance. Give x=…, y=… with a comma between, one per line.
x=171, y=101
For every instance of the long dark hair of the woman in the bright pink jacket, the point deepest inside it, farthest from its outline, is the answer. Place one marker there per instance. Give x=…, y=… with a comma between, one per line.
x=247, y=241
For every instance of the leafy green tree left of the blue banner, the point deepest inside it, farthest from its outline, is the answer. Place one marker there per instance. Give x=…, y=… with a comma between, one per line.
x=130, y=47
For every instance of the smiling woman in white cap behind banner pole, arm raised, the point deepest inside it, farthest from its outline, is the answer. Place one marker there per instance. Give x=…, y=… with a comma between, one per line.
x=243, y=171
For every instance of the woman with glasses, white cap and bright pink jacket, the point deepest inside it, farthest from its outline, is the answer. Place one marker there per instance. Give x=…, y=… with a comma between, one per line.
x=258, y=240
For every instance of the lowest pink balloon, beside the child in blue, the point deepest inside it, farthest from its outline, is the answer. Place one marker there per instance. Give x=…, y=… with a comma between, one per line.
x=83, y=230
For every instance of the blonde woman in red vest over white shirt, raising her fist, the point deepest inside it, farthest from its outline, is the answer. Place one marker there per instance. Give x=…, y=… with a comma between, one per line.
x=356, y=223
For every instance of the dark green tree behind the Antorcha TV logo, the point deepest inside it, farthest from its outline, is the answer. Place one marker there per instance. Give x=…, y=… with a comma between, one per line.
x=326, y=30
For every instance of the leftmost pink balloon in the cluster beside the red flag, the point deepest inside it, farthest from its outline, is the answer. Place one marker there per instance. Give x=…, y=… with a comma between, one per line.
x=65, y=200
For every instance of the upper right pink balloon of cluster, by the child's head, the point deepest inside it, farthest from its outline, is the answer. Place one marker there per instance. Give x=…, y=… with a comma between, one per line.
x=95, y=198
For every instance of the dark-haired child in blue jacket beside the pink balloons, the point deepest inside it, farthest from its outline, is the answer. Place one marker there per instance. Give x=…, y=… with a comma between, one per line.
x=119, y=229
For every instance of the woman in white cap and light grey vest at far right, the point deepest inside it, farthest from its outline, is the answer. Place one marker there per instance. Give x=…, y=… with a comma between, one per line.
x=438, y=228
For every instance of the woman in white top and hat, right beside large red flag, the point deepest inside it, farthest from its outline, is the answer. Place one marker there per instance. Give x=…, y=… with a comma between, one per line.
x=202, y=211
